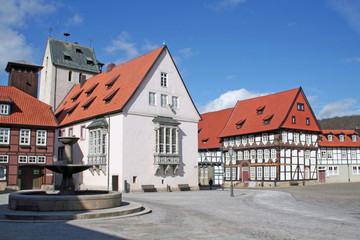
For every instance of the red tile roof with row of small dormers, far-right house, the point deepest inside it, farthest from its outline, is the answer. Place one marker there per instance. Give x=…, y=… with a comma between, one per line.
x=348, y=142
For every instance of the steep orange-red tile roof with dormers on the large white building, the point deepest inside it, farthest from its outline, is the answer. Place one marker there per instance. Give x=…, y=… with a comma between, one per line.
x=113, y=90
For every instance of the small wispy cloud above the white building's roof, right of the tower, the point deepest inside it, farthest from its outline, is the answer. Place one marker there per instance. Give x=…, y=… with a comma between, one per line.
x=122, y=45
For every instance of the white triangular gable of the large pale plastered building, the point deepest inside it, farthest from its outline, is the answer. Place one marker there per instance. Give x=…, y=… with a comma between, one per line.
x=175, y=87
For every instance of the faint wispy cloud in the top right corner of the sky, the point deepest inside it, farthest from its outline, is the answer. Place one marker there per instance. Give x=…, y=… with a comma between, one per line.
x=349, y=10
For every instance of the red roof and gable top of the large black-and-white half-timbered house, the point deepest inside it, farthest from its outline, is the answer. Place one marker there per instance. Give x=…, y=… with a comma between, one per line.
x=271, y=112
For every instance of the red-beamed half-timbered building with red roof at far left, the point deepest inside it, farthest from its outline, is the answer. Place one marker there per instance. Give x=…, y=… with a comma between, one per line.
x=27, y=130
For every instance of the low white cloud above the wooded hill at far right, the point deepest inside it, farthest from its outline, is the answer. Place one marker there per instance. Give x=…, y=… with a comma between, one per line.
x=345, y=107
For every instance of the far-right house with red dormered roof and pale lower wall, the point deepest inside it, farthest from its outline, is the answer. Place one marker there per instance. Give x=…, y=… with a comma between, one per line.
x=339, y=156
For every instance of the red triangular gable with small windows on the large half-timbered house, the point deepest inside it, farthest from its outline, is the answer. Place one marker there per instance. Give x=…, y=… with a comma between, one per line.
x=302, y=112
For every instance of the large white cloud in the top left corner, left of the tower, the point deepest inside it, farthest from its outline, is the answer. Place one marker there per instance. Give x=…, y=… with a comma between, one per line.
x=13, y=16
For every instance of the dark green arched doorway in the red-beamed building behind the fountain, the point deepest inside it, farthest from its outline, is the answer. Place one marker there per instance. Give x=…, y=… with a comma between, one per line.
x=30, y=177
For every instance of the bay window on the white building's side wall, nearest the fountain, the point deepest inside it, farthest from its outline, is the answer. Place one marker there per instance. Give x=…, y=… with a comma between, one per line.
x=97, y=146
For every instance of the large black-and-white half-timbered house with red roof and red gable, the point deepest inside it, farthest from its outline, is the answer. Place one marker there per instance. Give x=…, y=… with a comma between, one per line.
x=275, y=138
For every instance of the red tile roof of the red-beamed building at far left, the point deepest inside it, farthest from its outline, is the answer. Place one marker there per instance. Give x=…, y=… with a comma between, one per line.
x=25, y=109
